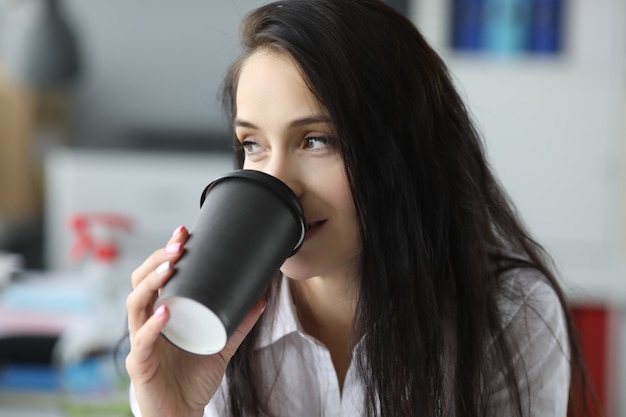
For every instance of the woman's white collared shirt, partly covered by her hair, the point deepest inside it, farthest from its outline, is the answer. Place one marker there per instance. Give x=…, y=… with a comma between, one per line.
x=307, y=384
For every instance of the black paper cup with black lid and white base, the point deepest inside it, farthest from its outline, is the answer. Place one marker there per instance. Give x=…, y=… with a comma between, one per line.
x=249, y=224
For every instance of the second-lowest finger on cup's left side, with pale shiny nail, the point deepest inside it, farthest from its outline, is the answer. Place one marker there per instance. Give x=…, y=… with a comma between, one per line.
x=140, y=301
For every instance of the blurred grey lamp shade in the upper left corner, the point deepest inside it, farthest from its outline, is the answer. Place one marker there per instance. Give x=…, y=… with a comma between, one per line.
x=38, y=45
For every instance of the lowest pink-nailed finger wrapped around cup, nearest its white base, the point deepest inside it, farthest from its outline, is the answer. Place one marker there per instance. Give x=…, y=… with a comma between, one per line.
x=143, y=342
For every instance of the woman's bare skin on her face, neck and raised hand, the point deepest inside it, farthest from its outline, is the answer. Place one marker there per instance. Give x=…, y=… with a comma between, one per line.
x=285, y=132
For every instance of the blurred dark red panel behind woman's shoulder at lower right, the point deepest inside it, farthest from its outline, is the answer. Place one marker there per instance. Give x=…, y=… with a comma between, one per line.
x=592, y=323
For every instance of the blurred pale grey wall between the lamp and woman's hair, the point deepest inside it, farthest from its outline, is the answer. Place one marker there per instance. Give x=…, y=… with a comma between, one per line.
x=152, y=64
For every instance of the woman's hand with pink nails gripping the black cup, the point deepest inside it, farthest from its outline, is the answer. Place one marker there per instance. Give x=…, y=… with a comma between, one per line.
x=169, y=381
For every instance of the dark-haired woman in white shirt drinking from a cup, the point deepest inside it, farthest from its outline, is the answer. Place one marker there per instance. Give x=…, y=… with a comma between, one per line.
x=417, y=291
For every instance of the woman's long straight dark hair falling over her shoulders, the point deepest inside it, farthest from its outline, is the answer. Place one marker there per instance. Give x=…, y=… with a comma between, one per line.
x=421, y=184
